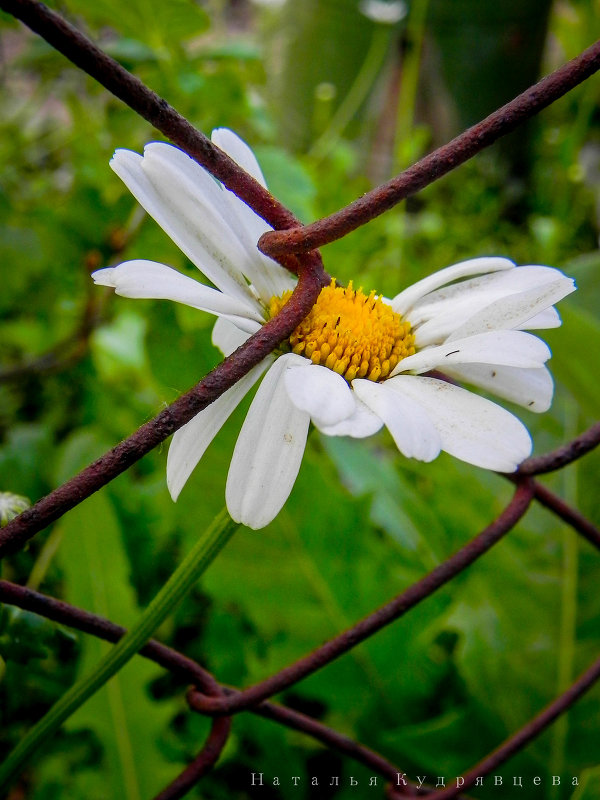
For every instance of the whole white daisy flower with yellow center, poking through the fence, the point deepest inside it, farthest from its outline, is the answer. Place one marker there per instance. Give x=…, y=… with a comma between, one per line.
x=358, y=361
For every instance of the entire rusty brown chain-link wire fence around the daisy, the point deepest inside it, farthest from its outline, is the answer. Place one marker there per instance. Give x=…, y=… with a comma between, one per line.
x=294, y=246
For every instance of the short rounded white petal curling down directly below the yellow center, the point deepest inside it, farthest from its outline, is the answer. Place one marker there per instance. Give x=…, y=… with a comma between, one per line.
x=320, y=392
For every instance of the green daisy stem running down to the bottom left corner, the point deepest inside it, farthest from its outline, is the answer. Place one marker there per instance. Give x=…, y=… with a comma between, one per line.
x=181, y=581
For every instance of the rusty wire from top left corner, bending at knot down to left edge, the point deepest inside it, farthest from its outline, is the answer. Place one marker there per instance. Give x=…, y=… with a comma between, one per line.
x=86, y=55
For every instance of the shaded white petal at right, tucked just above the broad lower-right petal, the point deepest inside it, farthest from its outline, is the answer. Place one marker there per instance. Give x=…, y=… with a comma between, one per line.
x=530, y=388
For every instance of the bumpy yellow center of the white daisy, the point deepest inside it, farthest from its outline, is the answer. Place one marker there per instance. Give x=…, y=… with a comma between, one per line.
x=354, y=334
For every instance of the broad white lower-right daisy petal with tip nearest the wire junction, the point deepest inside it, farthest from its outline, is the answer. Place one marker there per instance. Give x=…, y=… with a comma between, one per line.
x=471, y=428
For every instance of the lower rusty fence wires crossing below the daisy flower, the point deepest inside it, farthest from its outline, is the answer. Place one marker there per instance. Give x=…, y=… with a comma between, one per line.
x=210, y=697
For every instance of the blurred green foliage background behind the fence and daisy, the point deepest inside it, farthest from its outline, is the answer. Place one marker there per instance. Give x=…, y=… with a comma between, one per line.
x=474, y=662
